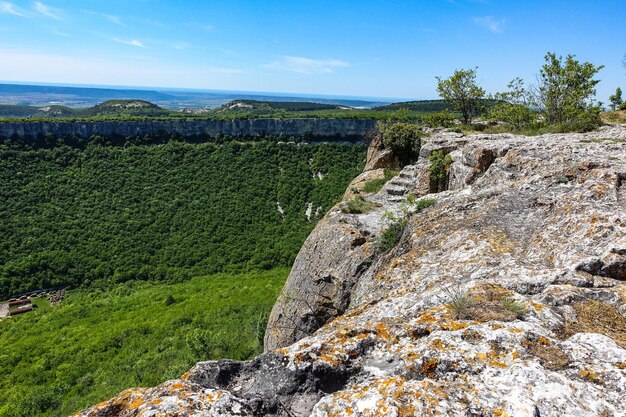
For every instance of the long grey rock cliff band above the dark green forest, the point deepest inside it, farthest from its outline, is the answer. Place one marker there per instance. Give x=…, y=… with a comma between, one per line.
x=316, y=128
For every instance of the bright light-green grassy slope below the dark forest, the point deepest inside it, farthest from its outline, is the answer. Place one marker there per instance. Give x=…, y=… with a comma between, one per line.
x=55, y=361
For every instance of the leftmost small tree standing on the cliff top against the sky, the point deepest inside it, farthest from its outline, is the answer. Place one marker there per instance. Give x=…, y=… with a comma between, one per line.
x=462, y=91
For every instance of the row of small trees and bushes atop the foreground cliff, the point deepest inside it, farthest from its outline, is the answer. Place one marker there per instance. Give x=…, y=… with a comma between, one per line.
x=563, y=96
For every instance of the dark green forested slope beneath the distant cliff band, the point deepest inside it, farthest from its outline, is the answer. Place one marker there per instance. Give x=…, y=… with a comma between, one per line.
x=73, y=217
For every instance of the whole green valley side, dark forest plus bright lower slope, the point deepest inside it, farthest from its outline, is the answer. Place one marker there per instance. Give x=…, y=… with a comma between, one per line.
x=166, y=249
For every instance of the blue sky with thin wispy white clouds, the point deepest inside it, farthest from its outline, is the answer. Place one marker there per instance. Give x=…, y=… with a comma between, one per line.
x=383, y=48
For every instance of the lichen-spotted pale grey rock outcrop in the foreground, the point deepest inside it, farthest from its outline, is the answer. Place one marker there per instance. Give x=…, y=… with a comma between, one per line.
x=505, y=298
